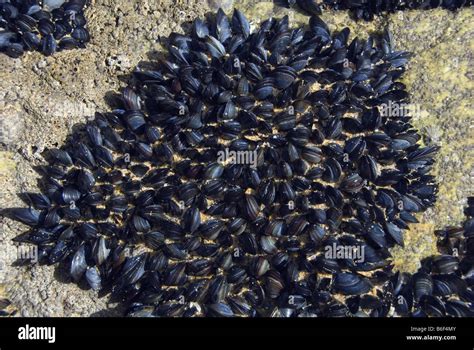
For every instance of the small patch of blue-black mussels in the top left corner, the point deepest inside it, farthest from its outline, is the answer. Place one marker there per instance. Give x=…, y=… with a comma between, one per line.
x=46, y=26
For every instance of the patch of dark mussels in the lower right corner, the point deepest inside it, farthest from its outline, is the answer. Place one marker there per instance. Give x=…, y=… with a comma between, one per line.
x=444, y=285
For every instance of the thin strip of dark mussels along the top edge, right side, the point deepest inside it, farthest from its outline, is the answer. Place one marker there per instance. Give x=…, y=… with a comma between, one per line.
x=367, y=9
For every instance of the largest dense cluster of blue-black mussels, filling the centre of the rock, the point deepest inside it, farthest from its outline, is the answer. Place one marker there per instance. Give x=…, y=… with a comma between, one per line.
x=146, y=203
